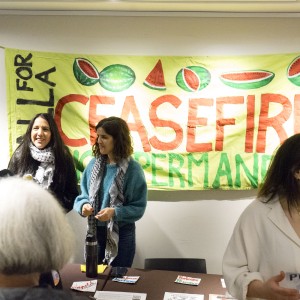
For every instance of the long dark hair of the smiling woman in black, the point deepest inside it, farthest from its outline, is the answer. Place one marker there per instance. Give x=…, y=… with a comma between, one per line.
x=24, y=163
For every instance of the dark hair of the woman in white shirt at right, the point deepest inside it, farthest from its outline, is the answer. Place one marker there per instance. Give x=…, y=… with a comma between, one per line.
x=280, y=178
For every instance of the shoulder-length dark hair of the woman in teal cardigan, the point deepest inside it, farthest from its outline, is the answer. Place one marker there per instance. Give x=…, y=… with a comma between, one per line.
x=119, y=130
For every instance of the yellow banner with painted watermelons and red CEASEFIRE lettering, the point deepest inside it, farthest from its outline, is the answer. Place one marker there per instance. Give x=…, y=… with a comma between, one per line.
x=196, y=122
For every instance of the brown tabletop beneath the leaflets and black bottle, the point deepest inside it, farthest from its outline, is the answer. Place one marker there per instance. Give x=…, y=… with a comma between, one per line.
x=152, y=282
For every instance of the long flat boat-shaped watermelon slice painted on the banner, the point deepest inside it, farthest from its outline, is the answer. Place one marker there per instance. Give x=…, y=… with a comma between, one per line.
x=251, y=79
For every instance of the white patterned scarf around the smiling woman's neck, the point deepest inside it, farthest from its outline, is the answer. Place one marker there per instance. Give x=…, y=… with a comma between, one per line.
x=45, y=171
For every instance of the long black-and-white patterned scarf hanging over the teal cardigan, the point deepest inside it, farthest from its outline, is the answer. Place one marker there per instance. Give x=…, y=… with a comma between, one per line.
x=116, y=199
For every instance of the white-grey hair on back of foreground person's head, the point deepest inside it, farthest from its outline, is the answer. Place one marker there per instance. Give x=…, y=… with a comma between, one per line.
x=35, y=236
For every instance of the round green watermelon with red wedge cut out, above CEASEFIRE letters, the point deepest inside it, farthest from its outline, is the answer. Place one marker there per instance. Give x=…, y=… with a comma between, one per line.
x=193, y=78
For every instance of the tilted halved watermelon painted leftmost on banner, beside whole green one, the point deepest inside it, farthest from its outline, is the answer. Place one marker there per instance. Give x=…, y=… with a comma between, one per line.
x=85, y=72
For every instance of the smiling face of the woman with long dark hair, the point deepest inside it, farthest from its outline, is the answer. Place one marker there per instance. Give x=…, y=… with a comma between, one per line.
x=40, y=133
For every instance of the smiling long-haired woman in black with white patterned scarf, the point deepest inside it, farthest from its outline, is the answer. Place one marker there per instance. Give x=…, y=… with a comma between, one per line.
x=43, y=157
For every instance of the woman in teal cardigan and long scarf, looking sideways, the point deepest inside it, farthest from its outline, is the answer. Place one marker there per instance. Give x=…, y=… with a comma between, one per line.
x=113, y=193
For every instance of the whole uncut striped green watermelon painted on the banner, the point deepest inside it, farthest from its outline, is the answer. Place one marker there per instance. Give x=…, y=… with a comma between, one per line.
x=116, y=78
